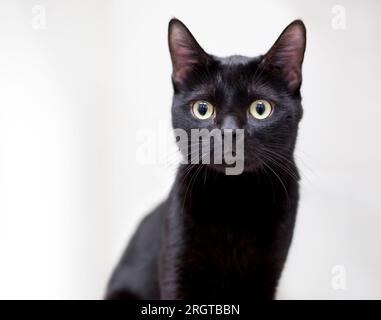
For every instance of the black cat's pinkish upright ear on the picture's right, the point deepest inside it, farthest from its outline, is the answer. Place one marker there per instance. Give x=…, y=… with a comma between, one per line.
x=286, y=55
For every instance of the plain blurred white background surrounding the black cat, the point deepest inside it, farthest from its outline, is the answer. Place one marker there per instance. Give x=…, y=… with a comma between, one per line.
x=74, y=95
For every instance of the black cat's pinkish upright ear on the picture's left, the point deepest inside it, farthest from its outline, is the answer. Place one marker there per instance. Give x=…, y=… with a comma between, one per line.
x=186, y=53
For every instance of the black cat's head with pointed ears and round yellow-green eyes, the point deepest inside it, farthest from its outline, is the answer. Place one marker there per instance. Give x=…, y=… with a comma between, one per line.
x=256, y=96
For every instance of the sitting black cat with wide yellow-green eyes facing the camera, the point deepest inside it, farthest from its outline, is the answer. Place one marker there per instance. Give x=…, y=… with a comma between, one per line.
x=218, y=235
